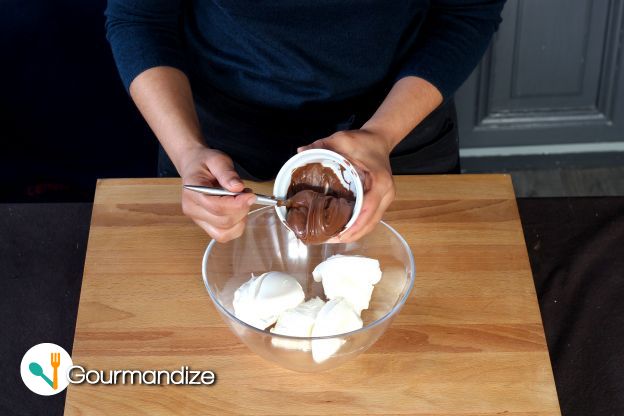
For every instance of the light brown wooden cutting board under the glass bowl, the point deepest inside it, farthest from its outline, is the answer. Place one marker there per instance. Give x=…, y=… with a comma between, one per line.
x=469, y=341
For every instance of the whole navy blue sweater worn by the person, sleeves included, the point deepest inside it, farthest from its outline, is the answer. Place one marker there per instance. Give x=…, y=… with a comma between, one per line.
x=290, y=53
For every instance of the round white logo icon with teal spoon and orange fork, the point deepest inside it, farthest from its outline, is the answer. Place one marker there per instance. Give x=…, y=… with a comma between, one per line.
x=44, y=369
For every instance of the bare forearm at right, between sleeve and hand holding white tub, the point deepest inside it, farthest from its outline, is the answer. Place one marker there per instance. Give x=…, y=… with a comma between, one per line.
x=410, y=100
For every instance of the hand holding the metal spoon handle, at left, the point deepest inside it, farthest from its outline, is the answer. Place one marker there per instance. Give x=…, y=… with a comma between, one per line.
x=223, y=217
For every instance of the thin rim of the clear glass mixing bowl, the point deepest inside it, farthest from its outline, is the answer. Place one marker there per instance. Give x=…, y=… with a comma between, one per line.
x=373, y=324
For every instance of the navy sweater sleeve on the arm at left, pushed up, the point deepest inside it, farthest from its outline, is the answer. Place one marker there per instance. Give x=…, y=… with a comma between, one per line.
x=144, y=34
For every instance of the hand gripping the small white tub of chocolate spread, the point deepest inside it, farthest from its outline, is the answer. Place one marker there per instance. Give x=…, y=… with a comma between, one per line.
x=370, y=154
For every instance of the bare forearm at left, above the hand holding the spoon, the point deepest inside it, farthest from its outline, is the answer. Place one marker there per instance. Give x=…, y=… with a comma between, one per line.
x=163, y=96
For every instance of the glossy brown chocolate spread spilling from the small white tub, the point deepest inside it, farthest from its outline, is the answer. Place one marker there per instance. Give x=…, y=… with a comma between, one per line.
x=320, y=206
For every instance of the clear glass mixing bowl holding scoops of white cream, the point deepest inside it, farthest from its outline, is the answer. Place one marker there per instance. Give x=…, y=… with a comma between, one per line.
x=267, y=245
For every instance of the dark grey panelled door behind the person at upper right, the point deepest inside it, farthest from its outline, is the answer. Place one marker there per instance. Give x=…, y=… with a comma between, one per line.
x=552, y=80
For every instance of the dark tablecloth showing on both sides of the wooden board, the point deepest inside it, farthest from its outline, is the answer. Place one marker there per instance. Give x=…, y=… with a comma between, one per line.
x=576, y=248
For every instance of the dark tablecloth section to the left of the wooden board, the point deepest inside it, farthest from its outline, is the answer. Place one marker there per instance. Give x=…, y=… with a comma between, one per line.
x=42, y=251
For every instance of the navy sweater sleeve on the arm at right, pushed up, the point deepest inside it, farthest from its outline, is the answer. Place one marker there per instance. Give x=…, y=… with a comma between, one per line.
x=454, y=37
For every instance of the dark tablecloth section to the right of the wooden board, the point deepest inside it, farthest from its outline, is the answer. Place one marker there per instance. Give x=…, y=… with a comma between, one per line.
x=576, y=248
